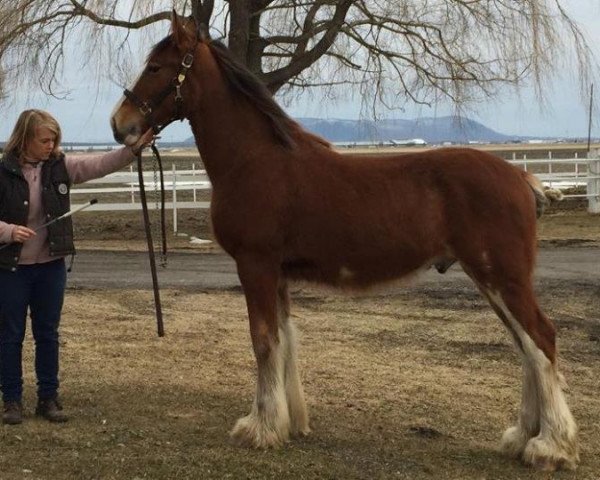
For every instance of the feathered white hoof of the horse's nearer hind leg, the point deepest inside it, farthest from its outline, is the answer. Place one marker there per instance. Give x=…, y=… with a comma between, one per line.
x=545, y=455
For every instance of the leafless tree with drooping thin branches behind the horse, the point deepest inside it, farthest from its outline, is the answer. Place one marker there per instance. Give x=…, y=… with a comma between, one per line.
x=391, y=52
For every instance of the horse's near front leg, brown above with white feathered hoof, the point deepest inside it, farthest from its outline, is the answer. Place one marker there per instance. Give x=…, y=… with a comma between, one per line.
x=268, y=424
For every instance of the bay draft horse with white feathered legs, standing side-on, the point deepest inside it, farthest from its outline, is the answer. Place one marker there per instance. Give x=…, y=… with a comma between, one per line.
x=288, y=207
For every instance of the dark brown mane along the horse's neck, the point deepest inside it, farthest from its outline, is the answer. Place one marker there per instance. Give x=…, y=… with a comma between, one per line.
x=246, y=84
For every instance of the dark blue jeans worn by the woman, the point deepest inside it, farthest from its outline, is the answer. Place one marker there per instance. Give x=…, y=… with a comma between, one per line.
x=40, y=288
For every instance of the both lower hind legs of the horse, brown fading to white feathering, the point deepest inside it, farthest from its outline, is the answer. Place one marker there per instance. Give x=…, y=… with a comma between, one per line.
x=546, y=434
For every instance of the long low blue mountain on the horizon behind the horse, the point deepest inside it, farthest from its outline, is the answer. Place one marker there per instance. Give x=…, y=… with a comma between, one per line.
x=433, y=130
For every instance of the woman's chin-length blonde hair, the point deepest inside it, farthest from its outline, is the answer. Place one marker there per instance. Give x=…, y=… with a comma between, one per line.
x=25, y=129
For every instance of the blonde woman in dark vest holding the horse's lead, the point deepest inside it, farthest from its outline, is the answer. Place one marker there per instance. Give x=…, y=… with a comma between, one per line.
x=35, y=178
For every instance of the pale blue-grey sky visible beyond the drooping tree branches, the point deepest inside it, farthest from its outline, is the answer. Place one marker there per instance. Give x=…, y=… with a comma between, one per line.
x=84, y=115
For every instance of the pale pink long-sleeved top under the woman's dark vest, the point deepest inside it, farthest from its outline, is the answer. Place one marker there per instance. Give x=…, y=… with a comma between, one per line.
x=80, y=169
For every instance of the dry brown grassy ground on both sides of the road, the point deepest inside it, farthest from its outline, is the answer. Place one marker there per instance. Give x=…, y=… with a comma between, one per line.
x=409, y=384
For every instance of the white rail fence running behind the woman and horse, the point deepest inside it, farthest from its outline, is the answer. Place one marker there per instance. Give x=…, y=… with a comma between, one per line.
x=555, y=173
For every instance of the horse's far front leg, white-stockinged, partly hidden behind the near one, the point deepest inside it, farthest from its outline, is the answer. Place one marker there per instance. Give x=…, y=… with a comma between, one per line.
x=293, y=386
